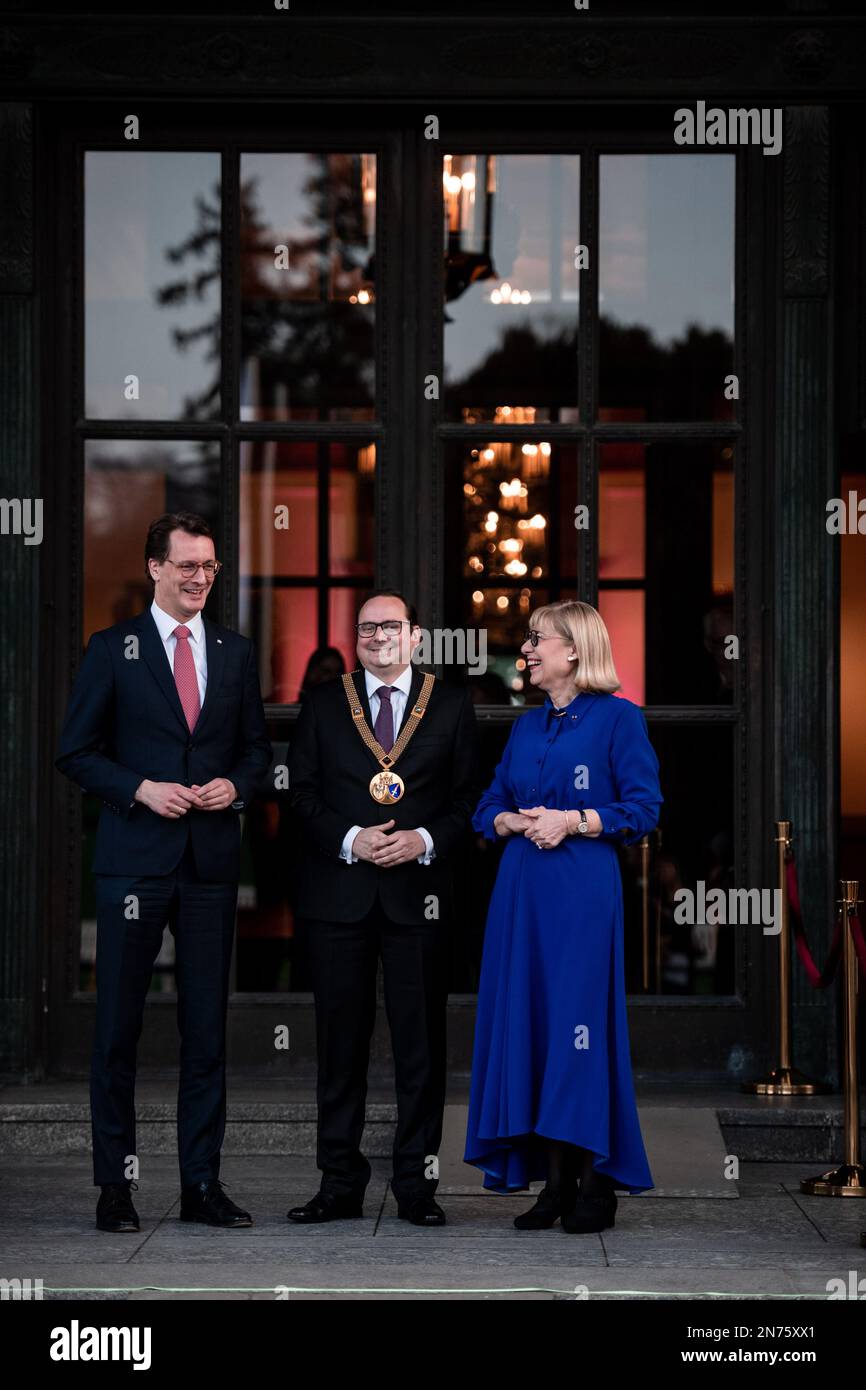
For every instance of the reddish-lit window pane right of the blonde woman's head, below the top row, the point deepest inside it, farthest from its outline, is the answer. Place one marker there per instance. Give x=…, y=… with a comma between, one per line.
x=667, y=569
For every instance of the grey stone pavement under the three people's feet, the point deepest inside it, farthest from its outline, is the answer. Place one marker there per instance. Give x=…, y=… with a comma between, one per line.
x=764, y=1239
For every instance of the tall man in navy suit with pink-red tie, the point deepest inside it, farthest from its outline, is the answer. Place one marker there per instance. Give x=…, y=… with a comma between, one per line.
x=166, y=725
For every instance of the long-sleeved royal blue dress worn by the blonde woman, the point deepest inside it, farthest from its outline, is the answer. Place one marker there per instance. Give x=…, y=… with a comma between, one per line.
x=551, y=1054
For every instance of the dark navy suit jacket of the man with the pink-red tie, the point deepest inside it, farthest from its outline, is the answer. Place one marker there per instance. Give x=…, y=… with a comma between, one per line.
x=126, y=723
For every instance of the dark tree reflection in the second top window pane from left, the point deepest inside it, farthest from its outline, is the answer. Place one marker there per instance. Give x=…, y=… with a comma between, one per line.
x=313, y=347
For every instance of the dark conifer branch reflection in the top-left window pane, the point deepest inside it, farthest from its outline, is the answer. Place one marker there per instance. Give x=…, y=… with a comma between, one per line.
x=205, y=245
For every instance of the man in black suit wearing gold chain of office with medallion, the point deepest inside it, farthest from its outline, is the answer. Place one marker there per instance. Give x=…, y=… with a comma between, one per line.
x=376, y=881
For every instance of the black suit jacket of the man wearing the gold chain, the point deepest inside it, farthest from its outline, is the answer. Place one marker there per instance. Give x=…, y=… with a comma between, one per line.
x=330, y=771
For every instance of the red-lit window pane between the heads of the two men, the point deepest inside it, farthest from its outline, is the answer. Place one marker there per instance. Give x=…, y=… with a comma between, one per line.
x=307, y=516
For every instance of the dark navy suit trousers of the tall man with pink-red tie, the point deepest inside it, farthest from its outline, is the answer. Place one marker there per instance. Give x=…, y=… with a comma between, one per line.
x=131, y=917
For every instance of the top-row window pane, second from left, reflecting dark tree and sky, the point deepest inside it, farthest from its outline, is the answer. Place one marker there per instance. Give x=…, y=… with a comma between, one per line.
x=308, y=287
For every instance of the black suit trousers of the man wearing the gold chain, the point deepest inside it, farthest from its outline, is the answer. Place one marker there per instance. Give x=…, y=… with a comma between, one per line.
x=344, y=960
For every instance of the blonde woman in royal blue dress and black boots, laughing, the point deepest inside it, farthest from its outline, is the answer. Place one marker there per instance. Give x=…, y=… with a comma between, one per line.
x=553, y=1093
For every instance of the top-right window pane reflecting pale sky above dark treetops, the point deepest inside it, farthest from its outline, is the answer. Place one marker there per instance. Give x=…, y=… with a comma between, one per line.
x=667, y=286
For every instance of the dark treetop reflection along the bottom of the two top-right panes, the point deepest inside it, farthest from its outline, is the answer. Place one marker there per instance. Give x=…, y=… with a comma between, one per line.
x=533, y=368
